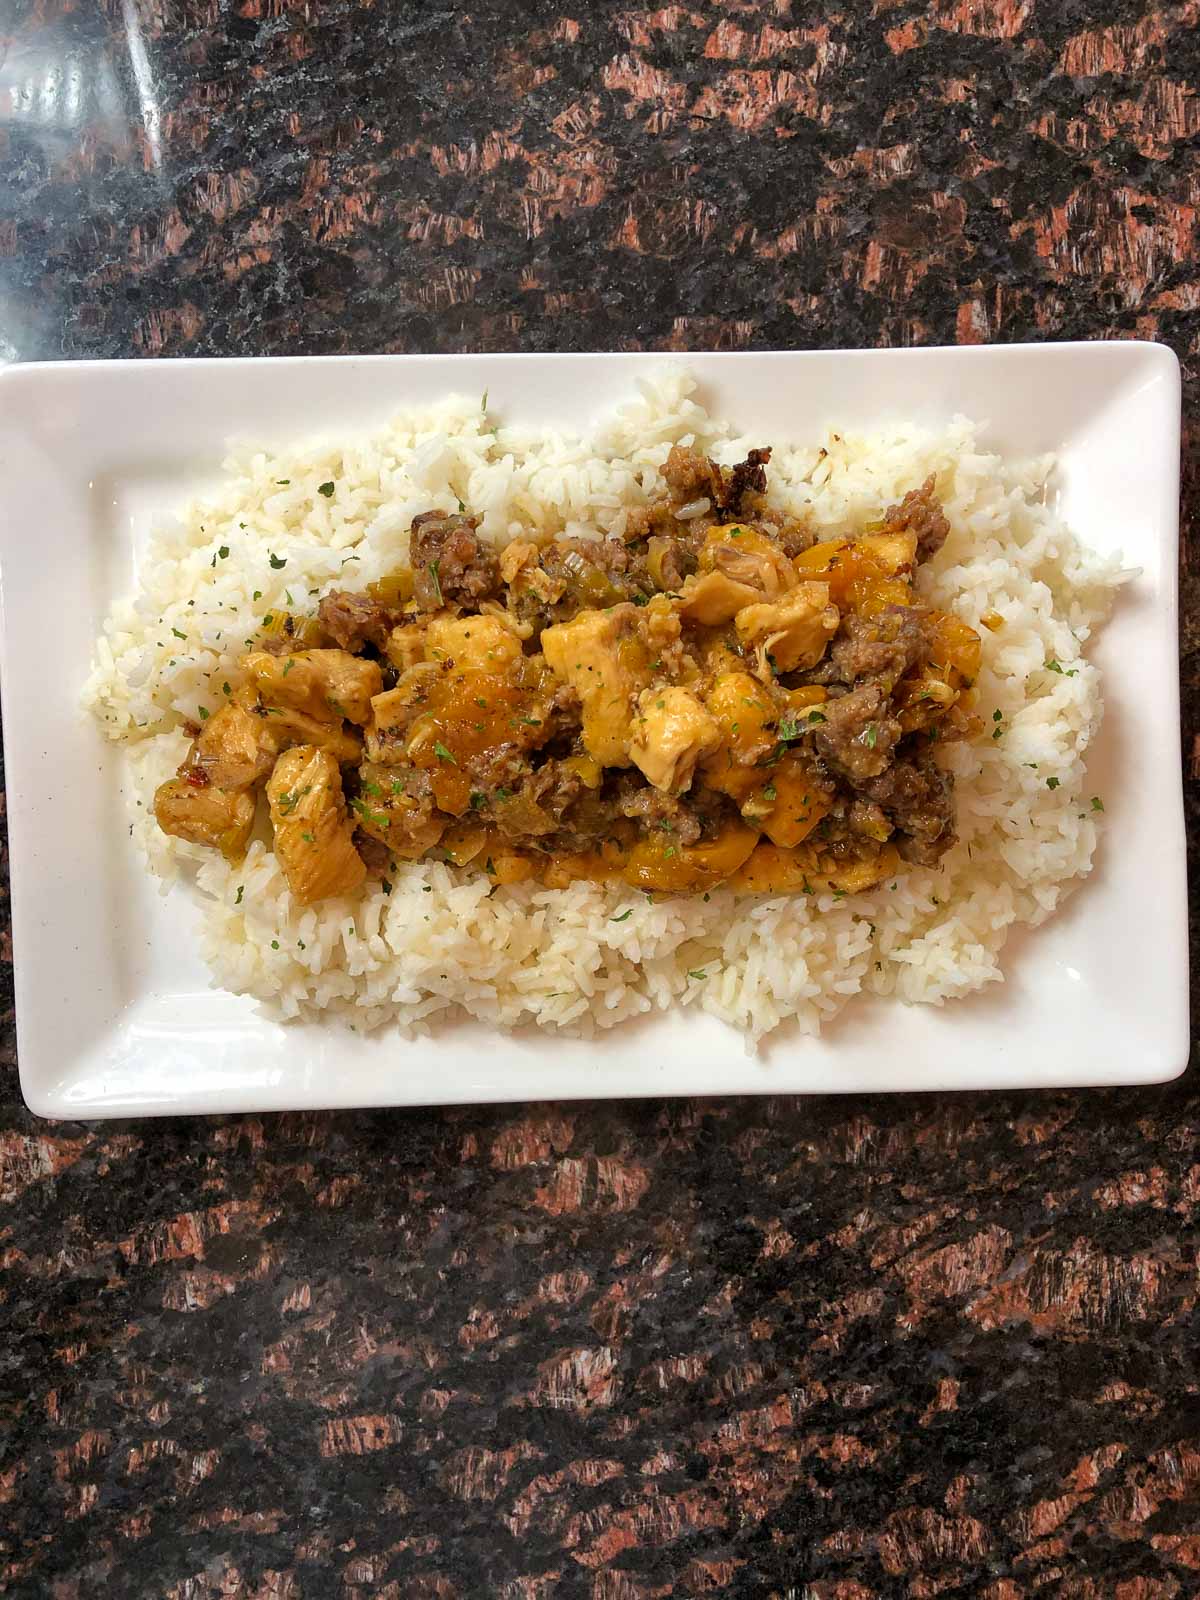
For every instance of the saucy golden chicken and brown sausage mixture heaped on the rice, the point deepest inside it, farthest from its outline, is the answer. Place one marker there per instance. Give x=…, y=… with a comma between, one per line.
x=714, y=697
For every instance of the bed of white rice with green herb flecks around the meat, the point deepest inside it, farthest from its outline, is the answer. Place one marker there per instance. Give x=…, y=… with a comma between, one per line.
x=572, y=959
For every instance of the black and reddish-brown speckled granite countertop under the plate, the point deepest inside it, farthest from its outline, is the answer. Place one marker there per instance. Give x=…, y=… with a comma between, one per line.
x=801, y=1350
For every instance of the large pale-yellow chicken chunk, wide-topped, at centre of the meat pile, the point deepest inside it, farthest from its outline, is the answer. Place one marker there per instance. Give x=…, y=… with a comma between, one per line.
x=602, y=657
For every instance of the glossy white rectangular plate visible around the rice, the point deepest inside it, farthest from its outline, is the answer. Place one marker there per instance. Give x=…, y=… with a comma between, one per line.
x=116, y=1015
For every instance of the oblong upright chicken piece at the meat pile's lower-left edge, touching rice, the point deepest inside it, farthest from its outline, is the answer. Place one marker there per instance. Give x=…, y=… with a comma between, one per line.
x=314, y=838
